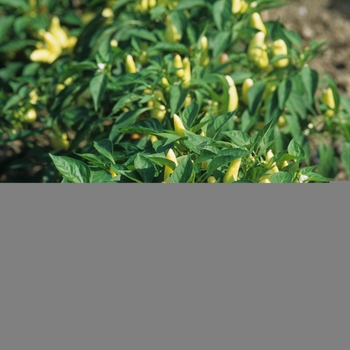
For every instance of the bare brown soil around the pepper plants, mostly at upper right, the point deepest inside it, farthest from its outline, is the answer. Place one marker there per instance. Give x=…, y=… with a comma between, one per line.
x=313, y=20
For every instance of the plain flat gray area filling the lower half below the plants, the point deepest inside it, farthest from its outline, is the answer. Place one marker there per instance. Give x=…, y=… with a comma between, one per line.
x=174, y=267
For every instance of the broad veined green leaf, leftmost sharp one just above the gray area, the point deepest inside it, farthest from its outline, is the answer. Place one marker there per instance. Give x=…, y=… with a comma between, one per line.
x=72, y=169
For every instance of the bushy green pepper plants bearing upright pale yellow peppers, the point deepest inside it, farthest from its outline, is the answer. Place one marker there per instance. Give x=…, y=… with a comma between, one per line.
x=191, y=91
